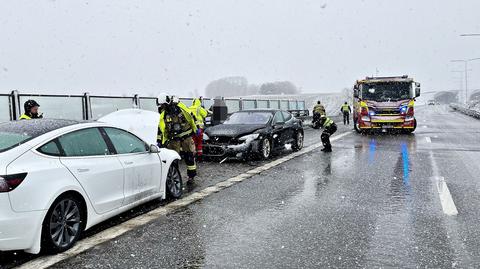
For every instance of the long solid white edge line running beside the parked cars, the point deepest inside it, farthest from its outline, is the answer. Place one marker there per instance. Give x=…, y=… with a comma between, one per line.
x=116, y=231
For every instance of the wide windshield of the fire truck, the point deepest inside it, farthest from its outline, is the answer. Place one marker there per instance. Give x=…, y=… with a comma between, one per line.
x=386, y=92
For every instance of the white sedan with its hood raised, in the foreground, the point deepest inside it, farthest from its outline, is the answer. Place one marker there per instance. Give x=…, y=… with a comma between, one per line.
x=60, y=177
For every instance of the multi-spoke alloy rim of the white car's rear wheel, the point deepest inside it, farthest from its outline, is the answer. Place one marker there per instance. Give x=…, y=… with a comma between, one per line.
x=65, y=223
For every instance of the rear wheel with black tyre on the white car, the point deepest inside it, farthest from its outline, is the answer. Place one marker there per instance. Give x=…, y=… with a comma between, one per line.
x=63, y=224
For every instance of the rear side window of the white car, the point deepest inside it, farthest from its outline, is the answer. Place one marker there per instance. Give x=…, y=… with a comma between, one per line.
x=86, y=142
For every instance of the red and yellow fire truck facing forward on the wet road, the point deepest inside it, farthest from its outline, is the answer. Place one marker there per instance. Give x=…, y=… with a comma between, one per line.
x=385, y=103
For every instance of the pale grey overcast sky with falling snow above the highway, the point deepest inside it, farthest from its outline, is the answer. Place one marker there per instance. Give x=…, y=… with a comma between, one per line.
x=123, y=47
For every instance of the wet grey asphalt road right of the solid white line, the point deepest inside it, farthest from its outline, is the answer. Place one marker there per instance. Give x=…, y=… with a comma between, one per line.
x=376, y=201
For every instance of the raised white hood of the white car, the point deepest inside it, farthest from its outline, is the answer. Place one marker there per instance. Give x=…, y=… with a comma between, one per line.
x=142, y=123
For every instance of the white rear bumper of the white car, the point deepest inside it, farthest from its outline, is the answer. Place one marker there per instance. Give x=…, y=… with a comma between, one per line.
x=19, y=230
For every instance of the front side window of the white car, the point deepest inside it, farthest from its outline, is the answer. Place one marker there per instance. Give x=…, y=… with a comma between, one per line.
x=125, y=142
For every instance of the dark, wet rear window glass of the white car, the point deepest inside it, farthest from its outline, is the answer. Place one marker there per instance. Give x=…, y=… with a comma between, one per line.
x=15, y=133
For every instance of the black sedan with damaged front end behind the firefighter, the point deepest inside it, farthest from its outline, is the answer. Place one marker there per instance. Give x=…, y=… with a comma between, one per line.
x=254, y=133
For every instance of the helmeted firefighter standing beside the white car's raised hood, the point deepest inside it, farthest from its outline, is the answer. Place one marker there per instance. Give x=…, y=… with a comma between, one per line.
x=176, y=128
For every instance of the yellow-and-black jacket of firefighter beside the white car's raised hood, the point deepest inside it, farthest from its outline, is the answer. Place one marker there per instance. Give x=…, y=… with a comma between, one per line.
x=164, y=133
